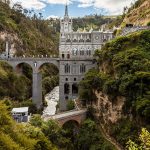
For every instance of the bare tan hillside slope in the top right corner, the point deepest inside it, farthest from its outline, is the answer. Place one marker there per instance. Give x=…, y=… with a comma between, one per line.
x=139, y=15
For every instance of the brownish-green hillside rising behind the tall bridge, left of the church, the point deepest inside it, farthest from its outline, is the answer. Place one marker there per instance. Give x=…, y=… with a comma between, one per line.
x=31, y=34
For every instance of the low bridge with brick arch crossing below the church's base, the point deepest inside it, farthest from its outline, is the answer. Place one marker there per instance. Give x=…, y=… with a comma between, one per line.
x=77, y=115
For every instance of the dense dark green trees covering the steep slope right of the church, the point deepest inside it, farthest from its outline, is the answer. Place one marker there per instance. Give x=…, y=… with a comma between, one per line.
x=124, y=71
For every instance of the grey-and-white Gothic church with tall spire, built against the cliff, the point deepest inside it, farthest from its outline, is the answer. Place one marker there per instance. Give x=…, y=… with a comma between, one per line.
x=76, y=50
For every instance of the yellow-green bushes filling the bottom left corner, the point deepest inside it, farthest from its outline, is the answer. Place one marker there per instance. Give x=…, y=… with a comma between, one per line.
x=20, y=137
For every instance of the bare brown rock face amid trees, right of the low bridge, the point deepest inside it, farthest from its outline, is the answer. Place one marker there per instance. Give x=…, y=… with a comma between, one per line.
x=109, y=111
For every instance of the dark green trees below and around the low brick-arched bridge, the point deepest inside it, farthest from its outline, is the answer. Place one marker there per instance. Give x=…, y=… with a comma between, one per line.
x=72, y=136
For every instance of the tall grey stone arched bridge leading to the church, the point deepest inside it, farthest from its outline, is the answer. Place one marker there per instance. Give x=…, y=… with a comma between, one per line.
x=35, y=64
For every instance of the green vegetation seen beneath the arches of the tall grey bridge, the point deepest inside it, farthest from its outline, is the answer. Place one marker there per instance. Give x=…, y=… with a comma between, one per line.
x=16, y=87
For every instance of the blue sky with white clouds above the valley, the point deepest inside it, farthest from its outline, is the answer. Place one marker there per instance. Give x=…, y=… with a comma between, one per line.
x=77, y=8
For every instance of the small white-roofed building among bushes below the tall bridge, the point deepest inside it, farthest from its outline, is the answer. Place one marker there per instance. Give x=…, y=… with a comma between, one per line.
x=20, y=114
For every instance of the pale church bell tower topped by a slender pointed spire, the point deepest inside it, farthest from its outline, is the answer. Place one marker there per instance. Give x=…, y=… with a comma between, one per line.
x=66, y=22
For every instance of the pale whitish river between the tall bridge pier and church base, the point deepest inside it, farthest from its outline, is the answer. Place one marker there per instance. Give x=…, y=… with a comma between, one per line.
x=52, y=99
